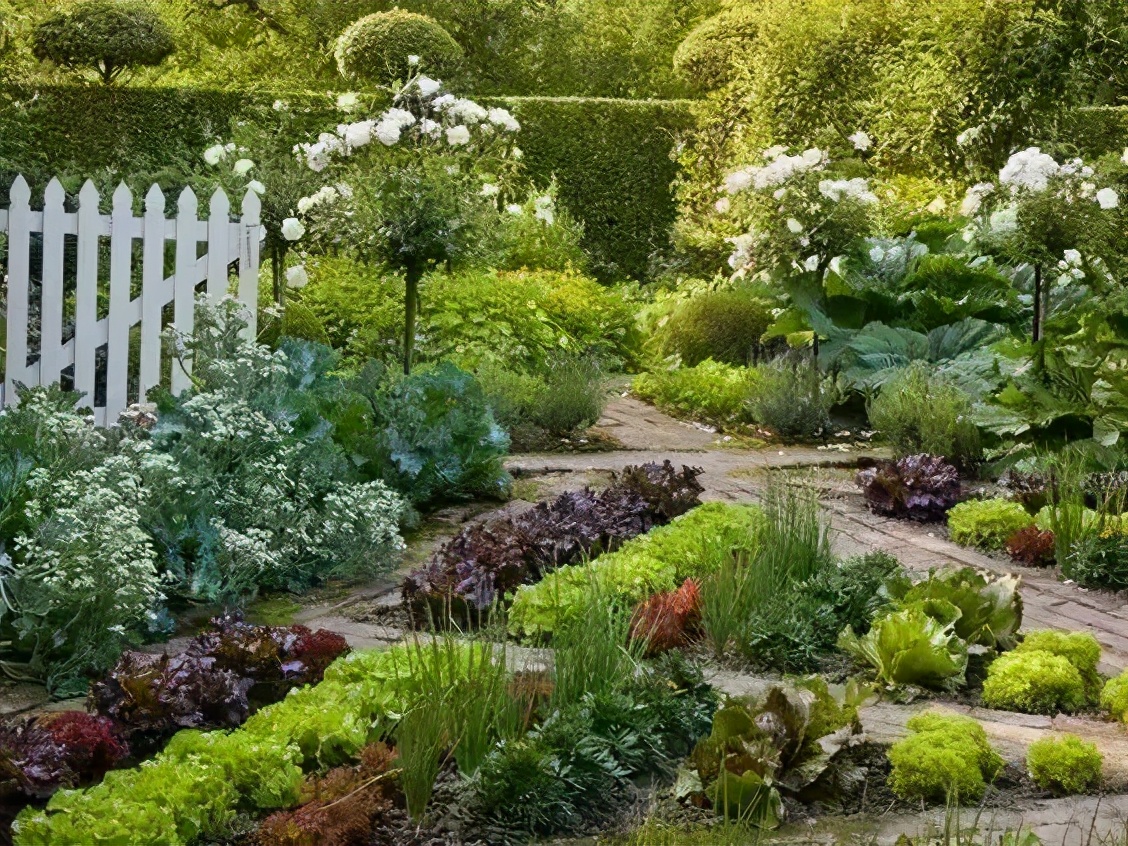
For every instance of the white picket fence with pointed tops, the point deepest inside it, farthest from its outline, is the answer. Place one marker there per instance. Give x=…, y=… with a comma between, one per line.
x=45, y=342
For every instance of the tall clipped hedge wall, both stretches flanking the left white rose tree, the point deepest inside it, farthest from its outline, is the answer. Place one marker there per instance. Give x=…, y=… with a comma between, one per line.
x=611, y=158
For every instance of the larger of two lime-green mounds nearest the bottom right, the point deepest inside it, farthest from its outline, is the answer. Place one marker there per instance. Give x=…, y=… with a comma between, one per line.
x=947, y=757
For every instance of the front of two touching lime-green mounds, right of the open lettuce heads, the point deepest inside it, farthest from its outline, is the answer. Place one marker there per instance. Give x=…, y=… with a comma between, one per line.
x=1034, y=683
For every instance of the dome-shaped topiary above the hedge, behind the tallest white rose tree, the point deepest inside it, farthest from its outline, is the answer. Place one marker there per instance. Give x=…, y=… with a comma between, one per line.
x=377, y=48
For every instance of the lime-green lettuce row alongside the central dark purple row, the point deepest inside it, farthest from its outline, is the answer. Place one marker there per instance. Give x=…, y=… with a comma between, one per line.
x=657, y=562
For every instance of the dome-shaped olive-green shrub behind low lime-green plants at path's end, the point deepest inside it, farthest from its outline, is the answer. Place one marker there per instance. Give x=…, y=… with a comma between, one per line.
x=725, y=325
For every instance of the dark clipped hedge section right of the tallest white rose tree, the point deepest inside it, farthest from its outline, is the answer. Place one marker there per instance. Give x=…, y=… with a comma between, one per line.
x=613, y=163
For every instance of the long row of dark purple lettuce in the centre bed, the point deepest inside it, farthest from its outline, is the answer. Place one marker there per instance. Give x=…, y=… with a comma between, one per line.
x=488, y=560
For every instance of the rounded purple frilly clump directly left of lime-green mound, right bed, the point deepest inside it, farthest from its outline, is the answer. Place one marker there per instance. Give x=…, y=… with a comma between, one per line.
x=919, y=488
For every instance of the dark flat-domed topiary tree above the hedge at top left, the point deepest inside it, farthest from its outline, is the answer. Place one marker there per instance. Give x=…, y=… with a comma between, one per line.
x=108, y=37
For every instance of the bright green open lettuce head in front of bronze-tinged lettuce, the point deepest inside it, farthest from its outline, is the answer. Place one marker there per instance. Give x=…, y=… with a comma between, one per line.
x=912, y=647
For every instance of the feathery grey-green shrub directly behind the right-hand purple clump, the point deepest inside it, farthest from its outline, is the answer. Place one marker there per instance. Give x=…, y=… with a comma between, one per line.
x=918, y=412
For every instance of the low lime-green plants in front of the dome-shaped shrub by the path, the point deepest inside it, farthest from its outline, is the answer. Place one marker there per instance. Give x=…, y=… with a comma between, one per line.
x=711, y=392
